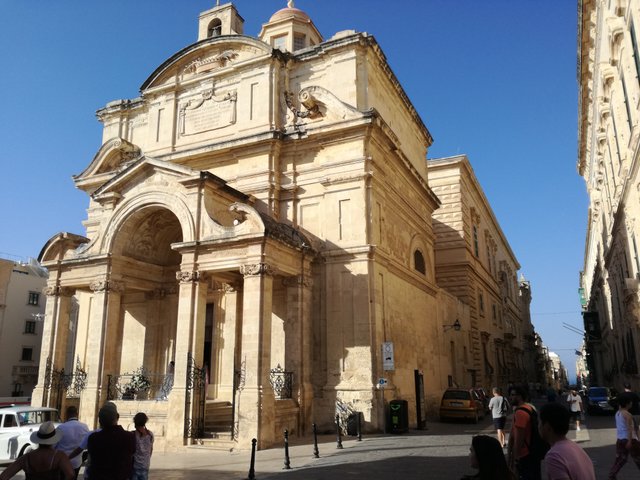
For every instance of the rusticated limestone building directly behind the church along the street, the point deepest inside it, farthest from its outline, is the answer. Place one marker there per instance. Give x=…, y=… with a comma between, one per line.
x=475, y=262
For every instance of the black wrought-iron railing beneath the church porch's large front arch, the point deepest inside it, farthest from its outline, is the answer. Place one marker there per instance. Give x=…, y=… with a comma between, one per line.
x=140, y=385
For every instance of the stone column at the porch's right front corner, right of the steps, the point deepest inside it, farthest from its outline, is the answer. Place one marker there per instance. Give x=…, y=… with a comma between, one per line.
x=256, y=403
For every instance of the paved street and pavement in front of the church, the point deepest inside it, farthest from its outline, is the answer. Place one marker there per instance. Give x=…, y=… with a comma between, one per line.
x=441, y=452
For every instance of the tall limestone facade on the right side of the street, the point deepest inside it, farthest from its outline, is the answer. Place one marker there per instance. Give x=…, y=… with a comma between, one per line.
x=608, y=148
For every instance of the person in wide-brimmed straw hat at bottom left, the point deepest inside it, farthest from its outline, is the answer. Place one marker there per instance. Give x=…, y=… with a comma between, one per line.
x=45, y=462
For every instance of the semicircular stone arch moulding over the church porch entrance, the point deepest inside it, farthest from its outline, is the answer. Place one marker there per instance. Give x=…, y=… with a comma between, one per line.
x=143, y=205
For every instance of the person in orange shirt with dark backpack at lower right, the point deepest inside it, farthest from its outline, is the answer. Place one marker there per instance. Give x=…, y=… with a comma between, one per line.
x=525, y=449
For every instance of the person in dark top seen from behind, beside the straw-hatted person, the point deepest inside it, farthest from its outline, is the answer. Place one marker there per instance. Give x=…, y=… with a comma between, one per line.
x=111, y=449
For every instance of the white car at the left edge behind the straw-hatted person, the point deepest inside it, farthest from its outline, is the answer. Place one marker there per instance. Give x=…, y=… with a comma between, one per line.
x=16, y=425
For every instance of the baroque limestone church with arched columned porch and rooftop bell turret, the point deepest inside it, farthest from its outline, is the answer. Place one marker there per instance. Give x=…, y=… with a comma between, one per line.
x=259, y=236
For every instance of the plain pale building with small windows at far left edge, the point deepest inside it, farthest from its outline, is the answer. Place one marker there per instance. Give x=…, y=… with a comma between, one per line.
x=22, y=307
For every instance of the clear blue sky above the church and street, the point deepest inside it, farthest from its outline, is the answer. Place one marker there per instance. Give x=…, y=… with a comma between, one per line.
x=495, y=80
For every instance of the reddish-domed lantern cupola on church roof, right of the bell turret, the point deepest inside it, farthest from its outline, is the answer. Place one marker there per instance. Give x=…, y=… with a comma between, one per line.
x=290, y=29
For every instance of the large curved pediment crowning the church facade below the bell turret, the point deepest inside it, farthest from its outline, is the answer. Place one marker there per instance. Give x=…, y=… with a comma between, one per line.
x=205, y=57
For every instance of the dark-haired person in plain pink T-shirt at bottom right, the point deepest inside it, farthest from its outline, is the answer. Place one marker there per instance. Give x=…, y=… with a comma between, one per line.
x=565, y=460
